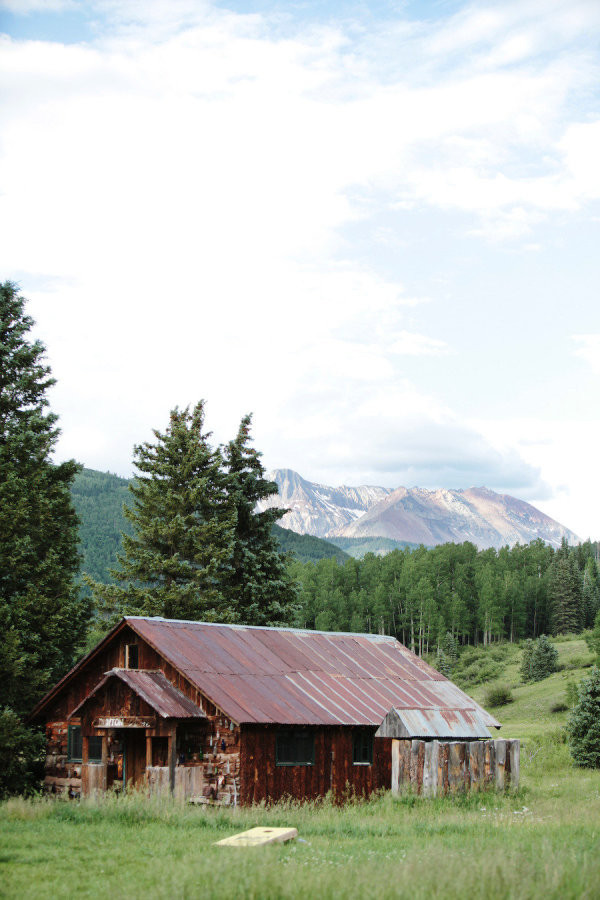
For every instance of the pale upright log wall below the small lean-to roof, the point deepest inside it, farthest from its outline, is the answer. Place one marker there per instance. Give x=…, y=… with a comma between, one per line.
x=441, y=767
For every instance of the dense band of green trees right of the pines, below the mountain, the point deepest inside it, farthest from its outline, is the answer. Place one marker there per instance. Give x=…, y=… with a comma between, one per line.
x=478, y=596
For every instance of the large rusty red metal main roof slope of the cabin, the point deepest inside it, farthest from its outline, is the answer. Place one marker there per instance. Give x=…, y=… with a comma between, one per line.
x=296, y=677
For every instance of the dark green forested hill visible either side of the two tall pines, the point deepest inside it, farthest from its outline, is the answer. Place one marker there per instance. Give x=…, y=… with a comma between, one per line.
x=99, y=497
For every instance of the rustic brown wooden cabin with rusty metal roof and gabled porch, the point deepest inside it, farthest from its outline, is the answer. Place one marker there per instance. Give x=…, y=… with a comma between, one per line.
x=239, y=714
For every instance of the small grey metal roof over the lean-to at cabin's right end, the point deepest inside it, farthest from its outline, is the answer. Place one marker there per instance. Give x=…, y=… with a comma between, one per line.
x=456, y=724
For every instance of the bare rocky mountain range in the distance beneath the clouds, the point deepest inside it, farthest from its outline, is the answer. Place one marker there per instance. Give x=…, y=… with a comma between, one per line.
x=412, y=515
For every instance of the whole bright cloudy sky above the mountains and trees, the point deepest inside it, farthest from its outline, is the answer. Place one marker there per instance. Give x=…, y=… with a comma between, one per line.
x=375, y=226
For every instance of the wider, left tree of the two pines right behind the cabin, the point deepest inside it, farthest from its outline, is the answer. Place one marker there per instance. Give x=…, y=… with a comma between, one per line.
x=177, y=561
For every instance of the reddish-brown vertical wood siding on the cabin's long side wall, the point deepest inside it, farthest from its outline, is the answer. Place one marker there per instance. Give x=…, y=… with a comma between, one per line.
x=333, y=769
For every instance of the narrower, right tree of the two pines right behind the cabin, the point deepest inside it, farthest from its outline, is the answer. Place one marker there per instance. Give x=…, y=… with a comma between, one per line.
x=258, y=585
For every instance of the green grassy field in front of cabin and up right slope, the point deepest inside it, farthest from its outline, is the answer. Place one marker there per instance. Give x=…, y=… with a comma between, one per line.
x=540, y=842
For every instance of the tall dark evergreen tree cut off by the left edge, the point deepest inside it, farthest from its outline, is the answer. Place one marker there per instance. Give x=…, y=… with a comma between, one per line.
x=42, y=618
